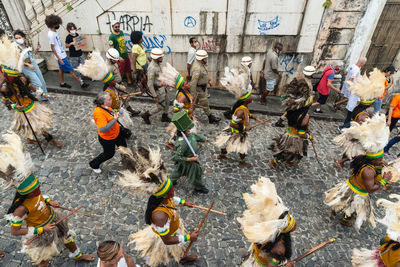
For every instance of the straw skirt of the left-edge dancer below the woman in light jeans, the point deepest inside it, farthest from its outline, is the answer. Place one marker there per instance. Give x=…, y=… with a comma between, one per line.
x=39, y=117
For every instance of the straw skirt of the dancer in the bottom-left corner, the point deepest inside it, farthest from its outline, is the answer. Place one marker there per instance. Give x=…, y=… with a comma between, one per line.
x=48, y=244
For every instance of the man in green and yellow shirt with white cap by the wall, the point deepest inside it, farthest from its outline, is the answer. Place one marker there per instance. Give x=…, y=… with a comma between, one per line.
x=116, y=40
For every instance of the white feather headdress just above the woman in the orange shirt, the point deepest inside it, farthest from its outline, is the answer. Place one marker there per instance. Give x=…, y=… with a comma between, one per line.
x=96, y=67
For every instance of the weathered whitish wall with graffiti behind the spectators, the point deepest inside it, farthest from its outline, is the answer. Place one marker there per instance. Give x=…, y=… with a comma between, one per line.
x=228, y=29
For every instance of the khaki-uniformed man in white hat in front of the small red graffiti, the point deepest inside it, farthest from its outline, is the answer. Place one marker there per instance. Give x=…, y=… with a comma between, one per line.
x=199, y=82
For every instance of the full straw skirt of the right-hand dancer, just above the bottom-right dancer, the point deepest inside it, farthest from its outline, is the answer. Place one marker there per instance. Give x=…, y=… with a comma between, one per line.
x=342, y=199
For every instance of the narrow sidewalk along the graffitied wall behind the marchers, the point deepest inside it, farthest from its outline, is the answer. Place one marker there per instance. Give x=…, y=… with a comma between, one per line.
x=220, y=99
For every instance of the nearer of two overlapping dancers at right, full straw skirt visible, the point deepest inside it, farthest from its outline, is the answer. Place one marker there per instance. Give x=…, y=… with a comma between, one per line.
x=352, y=197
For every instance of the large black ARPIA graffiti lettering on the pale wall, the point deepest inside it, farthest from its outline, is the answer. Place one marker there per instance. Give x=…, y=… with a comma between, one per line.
x=130, y=23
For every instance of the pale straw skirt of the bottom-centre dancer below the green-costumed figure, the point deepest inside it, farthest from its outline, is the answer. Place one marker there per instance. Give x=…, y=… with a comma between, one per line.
x=153, y=249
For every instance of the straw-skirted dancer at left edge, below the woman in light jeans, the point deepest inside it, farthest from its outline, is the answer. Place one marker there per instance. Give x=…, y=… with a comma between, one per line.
x=17, y=95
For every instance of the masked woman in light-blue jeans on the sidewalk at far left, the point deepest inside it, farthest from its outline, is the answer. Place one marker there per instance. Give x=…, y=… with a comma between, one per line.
x=31, y=69
